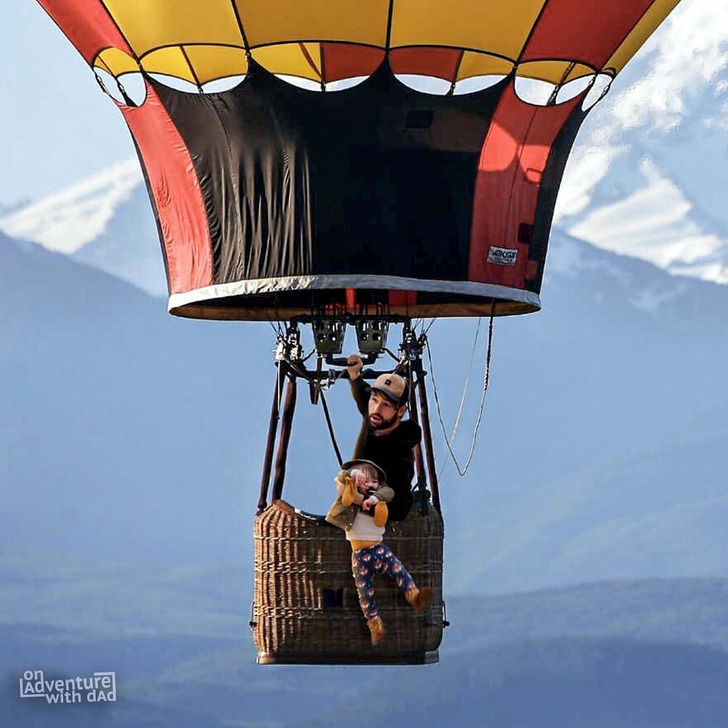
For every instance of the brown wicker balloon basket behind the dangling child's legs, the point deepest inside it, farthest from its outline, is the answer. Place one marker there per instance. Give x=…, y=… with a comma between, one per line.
x=306, y=608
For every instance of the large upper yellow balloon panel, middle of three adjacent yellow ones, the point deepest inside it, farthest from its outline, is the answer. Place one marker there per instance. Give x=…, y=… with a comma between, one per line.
x=277, y=21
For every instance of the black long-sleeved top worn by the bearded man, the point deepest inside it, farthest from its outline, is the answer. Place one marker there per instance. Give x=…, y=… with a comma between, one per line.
x=392, y=452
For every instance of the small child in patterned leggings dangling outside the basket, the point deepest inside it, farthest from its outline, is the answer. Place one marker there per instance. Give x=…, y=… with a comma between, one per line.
x=361, y=510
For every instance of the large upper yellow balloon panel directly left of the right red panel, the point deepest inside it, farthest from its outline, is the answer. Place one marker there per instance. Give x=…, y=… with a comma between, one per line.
x=500, y=27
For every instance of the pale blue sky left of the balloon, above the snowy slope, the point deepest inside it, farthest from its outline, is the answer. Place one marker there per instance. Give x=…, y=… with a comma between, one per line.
x=57, y=126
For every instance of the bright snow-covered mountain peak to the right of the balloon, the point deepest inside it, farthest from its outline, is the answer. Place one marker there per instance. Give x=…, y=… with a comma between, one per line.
x=648, y=176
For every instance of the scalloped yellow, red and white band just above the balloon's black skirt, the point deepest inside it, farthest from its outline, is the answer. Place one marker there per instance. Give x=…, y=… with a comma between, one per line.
x=429, y=71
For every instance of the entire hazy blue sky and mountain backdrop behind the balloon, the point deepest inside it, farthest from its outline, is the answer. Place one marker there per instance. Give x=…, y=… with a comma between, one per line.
x=586, y=567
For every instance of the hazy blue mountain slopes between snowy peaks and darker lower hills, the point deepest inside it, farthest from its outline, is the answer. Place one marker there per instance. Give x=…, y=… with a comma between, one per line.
x=589, y=438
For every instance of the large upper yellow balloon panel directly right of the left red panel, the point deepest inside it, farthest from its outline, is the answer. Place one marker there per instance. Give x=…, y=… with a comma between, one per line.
x=148, y=26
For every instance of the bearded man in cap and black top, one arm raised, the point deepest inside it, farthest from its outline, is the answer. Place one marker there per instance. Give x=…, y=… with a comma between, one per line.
x=385, y=438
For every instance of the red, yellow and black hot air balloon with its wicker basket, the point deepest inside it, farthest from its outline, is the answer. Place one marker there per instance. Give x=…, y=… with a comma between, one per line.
x=357, y=162
